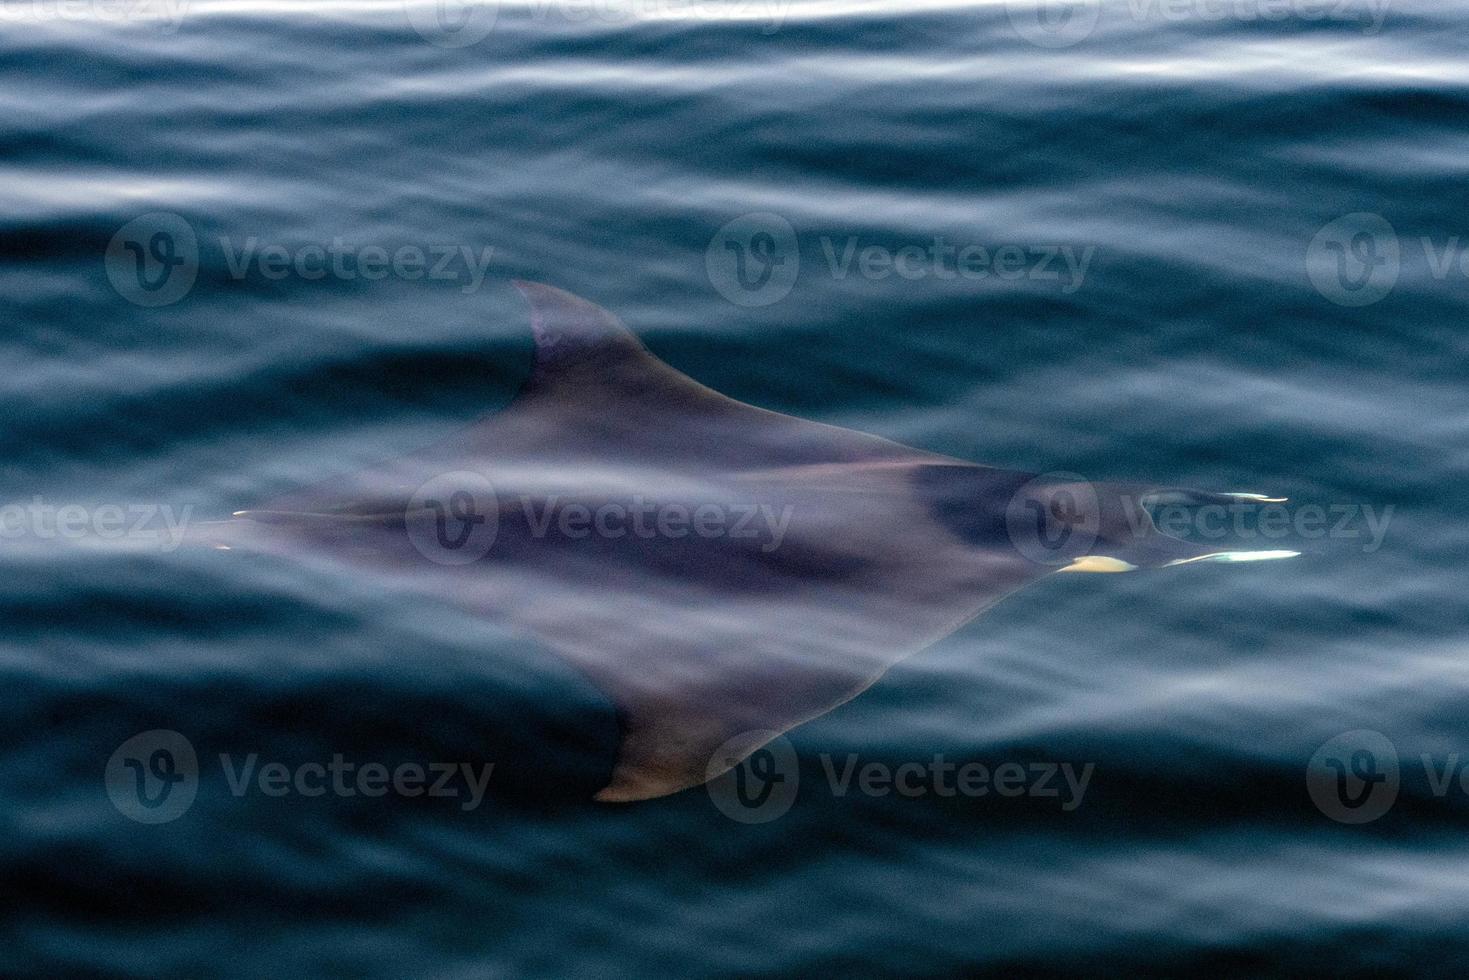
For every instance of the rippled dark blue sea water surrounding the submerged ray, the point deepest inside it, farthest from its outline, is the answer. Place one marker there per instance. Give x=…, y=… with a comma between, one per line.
x=1219, y=328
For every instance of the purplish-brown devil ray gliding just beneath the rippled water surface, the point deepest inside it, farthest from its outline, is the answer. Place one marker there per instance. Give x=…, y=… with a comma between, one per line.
x=723, y=574
